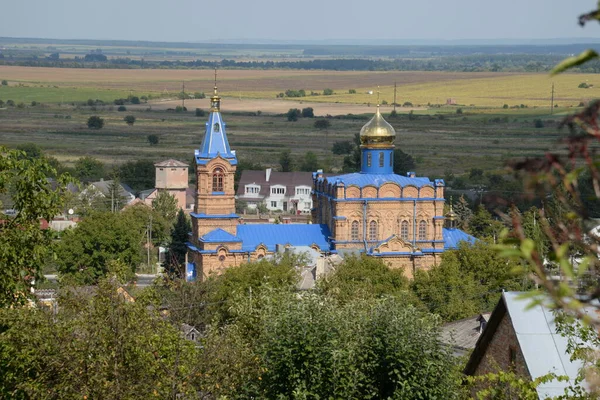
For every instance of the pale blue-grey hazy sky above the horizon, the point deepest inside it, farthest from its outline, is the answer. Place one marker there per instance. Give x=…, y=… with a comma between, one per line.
x=201, y=20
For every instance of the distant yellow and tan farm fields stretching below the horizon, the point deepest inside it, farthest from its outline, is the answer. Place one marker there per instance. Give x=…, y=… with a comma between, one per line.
x=485, y=89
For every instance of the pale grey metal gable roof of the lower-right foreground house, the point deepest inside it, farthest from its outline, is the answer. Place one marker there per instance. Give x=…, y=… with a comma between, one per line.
x=544, y=350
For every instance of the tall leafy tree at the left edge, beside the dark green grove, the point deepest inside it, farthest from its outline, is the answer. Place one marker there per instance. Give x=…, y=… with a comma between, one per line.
x=24, y=246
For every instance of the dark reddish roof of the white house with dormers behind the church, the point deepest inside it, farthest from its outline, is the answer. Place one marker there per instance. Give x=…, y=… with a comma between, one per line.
x=288, y=179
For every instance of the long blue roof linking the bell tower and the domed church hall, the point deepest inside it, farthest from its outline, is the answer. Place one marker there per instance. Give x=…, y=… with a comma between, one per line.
x=294, y=234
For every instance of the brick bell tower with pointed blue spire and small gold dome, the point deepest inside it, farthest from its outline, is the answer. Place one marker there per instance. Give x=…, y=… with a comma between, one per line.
x=215, y=168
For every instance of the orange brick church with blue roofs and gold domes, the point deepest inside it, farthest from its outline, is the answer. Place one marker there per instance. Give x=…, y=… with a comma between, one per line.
x=376, y=212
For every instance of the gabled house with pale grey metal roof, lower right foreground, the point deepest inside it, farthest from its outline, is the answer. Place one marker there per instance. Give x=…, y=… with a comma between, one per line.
x=524, y=340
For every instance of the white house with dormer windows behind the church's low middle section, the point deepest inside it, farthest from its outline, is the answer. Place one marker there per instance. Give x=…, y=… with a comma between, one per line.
x=284, y=191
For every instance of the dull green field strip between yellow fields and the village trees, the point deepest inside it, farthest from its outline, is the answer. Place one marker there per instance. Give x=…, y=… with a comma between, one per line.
x=440, y=143
